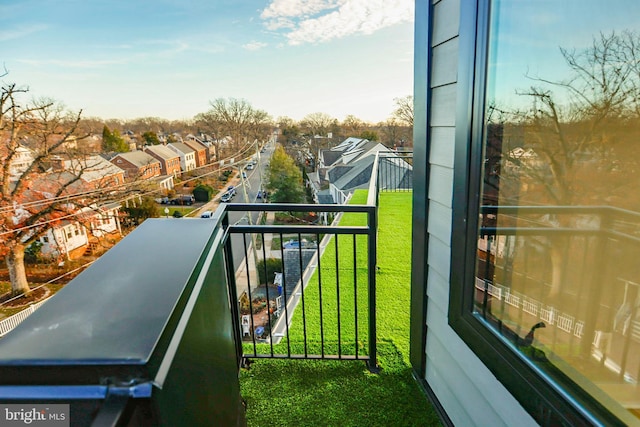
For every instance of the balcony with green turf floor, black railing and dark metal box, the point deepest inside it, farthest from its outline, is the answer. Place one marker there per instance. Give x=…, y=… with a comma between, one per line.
x=324, y=342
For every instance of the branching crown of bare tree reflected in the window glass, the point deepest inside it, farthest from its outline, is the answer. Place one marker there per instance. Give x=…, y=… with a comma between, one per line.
x=582, y=117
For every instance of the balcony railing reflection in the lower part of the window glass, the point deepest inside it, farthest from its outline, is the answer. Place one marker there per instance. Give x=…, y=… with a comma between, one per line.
x=570, y=305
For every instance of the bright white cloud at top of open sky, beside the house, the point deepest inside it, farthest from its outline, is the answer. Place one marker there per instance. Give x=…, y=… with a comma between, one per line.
x=318, y=21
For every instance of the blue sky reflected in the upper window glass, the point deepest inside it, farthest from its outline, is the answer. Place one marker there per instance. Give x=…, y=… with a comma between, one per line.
x=518, y=58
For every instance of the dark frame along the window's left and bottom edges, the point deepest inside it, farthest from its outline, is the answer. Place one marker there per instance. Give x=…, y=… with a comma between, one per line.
x=546, y=399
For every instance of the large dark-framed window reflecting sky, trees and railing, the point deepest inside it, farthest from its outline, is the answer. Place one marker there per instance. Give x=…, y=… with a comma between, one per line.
x=550, y=287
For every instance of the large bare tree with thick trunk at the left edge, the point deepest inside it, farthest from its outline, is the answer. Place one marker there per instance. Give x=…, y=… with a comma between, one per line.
x=35, y=195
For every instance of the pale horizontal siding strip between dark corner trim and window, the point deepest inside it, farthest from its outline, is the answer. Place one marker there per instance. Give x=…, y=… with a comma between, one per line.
x=468, y=391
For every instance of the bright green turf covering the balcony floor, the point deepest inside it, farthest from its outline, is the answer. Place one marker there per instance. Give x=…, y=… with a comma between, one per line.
x=344, y=393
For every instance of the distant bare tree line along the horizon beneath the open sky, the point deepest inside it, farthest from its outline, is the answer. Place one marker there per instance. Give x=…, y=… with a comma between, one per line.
x=232, y=123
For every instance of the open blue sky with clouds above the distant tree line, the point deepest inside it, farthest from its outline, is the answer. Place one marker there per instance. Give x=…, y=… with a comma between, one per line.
x=170, y=58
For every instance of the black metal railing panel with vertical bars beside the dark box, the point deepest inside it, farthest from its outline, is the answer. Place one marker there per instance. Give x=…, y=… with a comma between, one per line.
x=321, y=304
